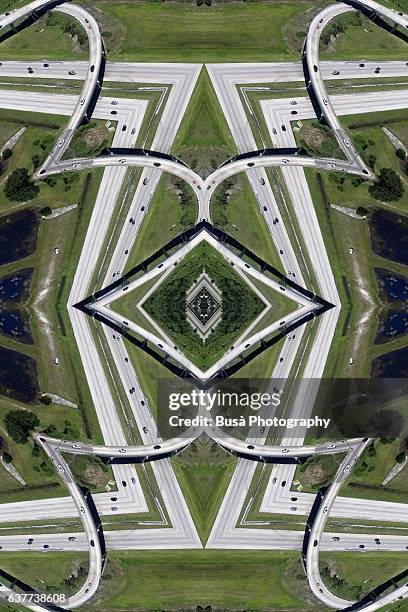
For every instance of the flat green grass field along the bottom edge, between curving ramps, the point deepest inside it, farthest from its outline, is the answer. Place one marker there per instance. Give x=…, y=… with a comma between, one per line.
x=185, y=579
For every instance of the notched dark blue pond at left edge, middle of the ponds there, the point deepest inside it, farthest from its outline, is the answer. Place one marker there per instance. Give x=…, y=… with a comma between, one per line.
x=14, y=319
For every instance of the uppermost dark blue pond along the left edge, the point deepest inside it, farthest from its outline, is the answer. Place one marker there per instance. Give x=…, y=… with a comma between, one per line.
x=18, y=235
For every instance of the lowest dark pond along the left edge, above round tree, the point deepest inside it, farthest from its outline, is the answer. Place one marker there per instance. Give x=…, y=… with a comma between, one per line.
x=18, y=376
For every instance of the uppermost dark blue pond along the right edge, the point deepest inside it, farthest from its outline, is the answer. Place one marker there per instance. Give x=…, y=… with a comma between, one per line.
x=389, y=235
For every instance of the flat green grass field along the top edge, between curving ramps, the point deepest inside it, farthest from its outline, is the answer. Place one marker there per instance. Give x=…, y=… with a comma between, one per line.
x=185, y=32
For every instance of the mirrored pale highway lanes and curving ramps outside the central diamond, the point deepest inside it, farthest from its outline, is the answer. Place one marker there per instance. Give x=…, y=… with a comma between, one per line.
x=182, y=78
